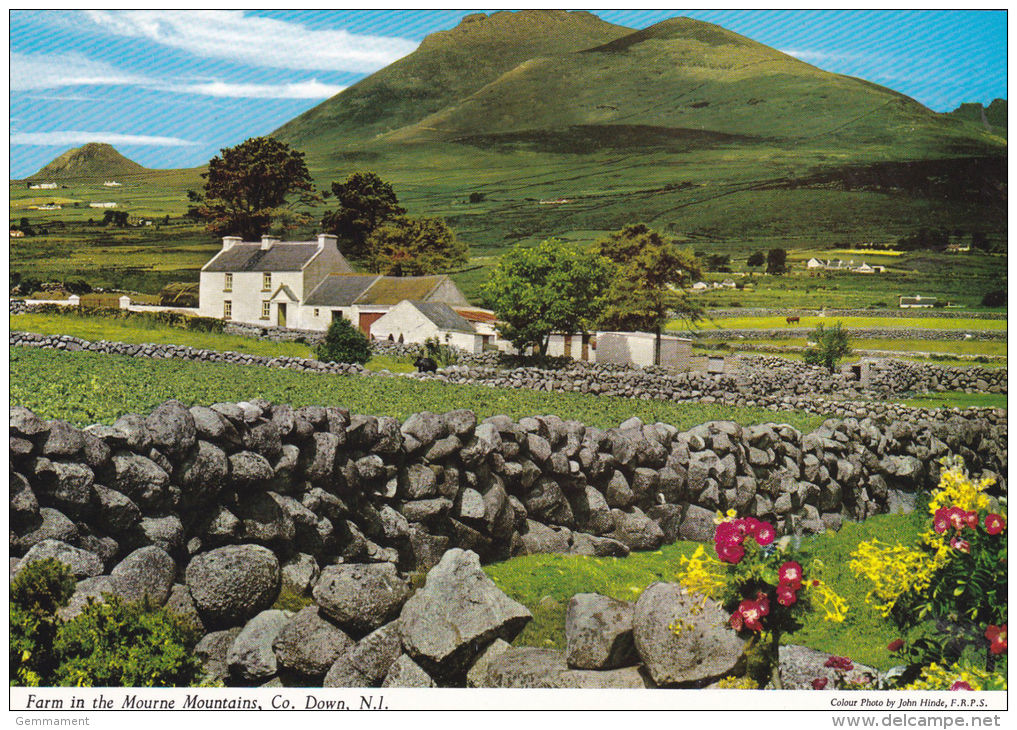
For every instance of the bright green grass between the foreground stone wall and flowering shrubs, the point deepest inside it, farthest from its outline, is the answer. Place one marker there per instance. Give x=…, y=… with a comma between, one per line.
x=545, y=584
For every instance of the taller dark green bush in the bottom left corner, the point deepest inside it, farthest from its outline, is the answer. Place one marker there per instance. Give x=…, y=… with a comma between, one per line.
x=36, y=594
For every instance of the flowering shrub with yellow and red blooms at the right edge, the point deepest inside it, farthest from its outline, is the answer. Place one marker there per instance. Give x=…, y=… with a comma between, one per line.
x=952, y=586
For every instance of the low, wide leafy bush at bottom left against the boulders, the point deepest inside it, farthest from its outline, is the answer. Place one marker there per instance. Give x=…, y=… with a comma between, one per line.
x=127, y=644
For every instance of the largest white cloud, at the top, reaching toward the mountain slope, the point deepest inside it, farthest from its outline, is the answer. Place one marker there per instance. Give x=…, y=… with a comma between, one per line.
x=257, y=41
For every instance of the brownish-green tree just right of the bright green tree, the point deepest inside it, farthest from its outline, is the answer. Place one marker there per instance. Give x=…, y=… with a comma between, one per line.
x=648, y=286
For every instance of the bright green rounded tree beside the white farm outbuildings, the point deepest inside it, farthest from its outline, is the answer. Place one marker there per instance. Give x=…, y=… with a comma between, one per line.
x=551, y=288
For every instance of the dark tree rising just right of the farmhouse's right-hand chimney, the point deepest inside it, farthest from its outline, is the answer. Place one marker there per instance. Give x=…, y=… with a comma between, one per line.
x=366, y=202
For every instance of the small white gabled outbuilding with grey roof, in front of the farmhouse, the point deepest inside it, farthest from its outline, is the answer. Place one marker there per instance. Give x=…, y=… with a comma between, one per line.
x=413, y=323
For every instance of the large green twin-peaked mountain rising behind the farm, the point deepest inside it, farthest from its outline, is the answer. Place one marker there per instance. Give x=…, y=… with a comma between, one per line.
x=570, y=127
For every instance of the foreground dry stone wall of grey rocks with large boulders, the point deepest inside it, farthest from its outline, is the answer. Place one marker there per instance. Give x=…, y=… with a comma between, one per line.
x=214, y=511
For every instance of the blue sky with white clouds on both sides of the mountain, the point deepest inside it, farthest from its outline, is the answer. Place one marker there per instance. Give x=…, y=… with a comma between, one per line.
x=170, y=88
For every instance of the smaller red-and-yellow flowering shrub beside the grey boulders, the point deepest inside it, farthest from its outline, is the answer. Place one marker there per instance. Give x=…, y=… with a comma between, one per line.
x=767, y=592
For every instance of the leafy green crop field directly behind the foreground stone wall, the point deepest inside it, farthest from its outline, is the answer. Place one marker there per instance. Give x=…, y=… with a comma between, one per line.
x=89, y=388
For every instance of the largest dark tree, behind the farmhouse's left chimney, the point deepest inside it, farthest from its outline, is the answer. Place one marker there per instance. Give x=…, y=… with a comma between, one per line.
x=254, y=186
